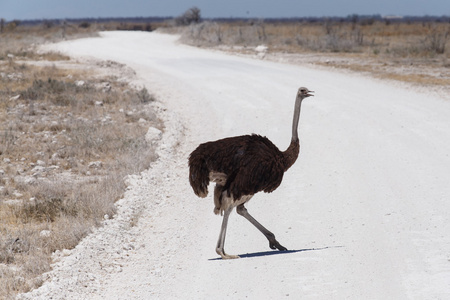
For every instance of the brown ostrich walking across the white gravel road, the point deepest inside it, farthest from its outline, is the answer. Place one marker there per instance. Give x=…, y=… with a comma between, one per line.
x=242, y=166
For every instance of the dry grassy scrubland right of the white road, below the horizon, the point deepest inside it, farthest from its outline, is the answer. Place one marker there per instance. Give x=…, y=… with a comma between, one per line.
x=414, y=52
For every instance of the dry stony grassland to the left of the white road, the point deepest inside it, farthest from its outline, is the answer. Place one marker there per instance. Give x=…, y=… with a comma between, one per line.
x=67, y=140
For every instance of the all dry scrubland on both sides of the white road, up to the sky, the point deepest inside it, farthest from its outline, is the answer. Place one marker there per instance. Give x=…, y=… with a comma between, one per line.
x=68, y=137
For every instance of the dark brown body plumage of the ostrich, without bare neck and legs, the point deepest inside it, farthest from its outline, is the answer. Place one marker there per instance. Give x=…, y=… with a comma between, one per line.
x=252, y=164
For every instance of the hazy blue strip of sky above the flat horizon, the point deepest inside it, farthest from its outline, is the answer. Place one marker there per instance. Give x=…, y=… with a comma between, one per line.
x=59, y=9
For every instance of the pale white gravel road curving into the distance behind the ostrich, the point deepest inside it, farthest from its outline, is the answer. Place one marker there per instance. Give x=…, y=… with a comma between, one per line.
x=364, y=211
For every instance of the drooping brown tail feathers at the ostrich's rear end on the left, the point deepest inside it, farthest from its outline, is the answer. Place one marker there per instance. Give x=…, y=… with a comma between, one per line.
x=198, y=176
